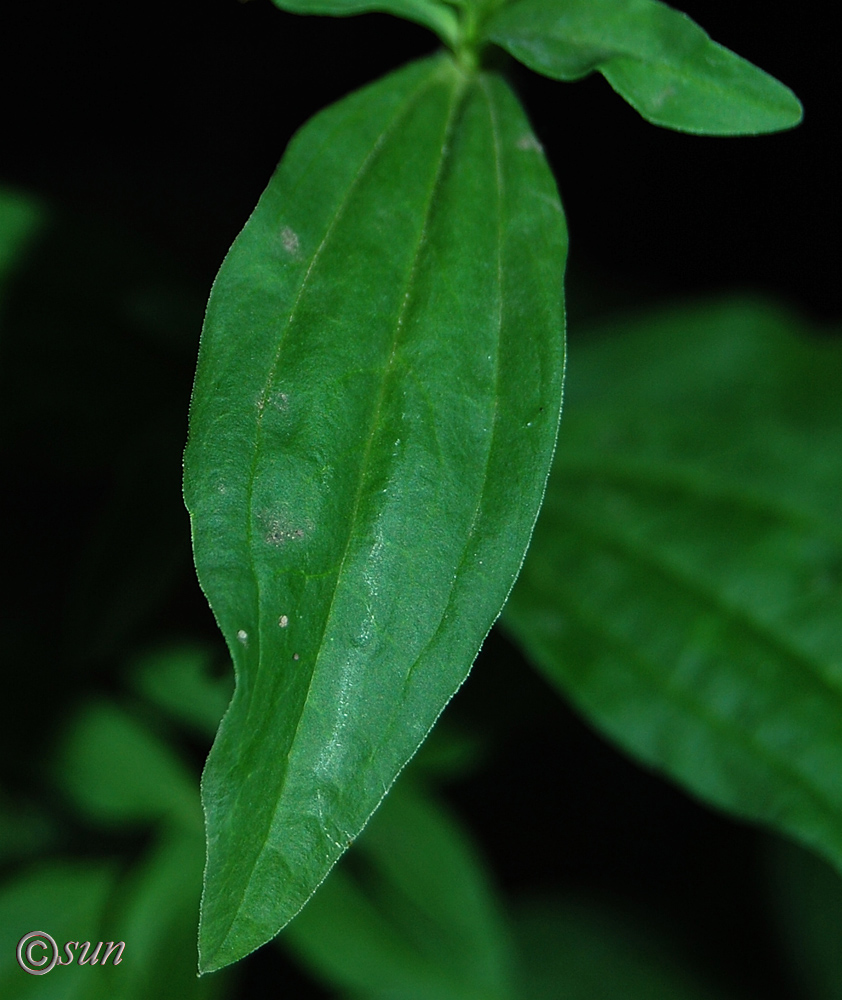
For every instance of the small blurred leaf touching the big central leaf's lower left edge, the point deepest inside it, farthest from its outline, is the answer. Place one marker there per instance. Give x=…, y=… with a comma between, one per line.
x=178, y=679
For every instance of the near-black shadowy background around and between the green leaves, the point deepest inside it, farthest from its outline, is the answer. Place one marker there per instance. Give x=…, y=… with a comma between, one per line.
x=153, y=127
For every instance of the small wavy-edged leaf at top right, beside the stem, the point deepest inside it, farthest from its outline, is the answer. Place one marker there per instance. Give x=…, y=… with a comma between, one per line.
x=655, y=57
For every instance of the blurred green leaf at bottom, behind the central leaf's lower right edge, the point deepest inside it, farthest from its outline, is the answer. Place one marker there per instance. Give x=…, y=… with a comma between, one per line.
x=413, y=917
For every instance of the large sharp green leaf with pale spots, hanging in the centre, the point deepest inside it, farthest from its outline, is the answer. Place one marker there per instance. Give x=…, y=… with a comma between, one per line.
x=375, y=408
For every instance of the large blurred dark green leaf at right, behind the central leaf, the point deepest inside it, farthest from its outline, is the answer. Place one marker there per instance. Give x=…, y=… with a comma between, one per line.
x=684, y=586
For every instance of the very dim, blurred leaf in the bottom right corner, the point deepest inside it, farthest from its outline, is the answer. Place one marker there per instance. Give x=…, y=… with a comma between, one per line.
x=807, y=901
